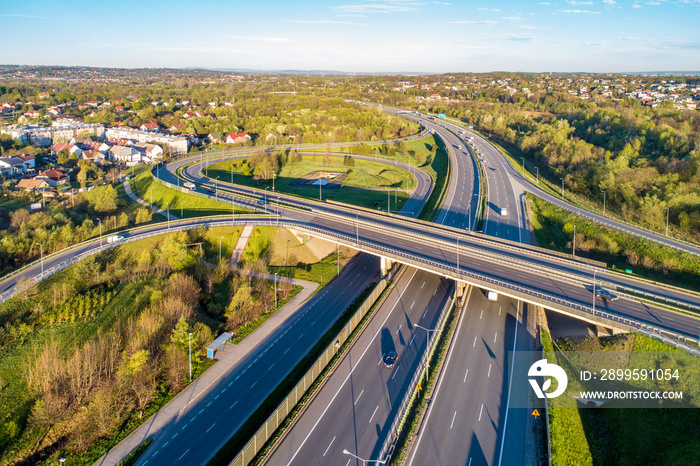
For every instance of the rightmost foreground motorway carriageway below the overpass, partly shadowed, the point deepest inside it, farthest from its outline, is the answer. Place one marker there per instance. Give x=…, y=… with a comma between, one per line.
x=465, y=420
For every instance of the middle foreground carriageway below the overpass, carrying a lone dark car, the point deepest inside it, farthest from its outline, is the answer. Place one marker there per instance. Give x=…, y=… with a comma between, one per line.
x=356, y=407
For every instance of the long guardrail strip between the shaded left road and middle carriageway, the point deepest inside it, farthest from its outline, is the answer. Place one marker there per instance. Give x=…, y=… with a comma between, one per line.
x=258, y=440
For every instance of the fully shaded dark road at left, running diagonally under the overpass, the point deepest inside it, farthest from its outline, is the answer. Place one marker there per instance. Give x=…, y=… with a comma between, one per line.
x=207, y=424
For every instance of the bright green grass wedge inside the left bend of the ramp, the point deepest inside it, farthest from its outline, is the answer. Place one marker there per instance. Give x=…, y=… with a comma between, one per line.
x=143, y=185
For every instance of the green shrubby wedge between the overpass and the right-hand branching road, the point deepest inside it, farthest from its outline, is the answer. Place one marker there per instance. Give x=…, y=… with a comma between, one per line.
x=554, y=228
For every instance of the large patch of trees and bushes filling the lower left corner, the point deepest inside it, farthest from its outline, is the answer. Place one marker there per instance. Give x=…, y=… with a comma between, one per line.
x=90, y=353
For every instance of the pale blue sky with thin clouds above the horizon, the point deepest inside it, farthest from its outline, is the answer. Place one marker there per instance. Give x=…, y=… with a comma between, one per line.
x=364, y=36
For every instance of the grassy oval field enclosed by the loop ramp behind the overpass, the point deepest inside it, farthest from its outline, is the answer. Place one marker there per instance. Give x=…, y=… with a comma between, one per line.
x=367, y=183
